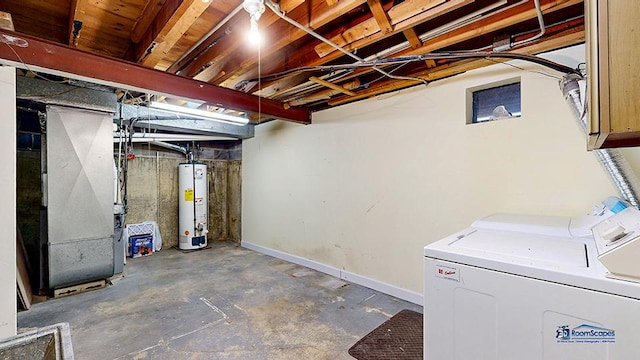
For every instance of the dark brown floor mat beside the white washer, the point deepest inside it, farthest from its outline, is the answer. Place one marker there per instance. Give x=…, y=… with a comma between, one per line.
x=399, y=338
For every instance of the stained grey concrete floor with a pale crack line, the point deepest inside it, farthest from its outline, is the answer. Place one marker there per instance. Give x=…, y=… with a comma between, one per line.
x=225, y=302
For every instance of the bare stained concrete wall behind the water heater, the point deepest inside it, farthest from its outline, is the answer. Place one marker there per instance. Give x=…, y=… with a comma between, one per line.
x=153, y=193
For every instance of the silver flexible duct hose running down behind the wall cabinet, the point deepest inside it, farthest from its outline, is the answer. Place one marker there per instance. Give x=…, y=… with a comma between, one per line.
x=612, y=160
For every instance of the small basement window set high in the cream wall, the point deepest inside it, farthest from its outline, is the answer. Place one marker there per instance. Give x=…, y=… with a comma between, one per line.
x=495, y=101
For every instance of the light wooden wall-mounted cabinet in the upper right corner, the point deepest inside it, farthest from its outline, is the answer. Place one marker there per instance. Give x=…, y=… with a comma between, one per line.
x=613, y=69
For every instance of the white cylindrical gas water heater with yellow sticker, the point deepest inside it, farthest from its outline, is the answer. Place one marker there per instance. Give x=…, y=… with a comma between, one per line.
x=192, y=209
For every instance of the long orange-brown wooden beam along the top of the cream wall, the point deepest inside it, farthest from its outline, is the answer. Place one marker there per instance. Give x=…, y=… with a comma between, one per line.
x=567, y=38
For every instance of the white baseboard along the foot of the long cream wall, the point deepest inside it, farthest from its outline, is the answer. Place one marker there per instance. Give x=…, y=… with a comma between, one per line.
x=395, y=291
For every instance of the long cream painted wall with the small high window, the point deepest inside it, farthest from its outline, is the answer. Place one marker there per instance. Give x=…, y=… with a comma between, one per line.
x=366, y=186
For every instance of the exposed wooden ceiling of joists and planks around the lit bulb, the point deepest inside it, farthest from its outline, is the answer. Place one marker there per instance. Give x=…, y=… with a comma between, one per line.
x=161, y=34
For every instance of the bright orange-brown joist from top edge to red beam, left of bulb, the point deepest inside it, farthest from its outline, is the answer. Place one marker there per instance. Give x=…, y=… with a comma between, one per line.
x=185, y=15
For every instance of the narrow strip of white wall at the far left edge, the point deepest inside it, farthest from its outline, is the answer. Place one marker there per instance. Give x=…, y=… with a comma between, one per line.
x=8, y=204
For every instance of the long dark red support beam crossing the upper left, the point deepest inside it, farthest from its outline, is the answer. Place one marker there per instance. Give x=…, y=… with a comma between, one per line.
x=45, y=56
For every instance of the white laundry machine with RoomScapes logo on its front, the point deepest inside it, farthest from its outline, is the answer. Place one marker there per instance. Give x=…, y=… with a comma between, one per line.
x=492, y=292
